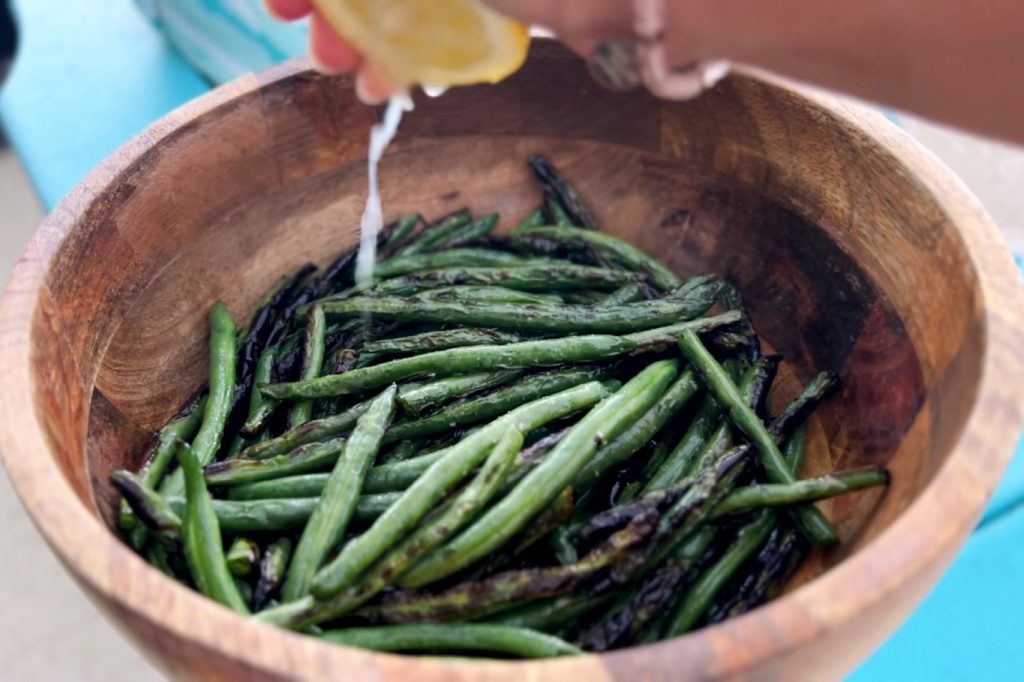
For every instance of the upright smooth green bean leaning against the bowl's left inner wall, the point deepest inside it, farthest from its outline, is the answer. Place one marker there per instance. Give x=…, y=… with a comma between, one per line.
x=219, y=405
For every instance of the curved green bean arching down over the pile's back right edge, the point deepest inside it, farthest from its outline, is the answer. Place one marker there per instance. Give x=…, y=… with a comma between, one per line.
x=548, y=240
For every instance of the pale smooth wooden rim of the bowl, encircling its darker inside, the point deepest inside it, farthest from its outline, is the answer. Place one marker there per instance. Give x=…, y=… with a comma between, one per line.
x=913, y=546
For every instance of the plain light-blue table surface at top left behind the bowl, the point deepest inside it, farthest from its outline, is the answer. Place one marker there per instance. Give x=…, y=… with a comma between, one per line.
x=90, y=75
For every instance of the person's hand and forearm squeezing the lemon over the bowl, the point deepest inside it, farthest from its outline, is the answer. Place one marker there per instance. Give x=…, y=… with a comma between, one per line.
x=947, y=60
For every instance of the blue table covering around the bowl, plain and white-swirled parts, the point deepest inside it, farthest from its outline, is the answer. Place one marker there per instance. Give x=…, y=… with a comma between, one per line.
x=92, y=74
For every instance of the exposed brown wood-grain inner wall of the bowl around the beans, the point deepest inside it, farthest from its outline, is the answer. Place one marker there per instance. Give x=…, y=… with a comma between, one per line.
x=846, y=263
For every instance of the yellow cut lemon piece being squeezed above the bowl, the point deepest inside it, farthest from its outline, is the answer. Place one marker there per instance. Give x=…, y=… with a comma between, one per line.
x=431, y=42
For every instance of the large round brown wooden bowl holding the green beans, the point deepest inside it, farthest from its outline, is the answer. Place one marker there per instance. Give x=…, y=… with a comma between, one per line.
x=856, y=248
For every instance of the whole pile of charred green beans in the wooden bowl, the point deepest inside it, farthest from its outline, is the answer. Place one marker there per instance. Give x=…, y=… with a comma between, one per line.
x=520, y=447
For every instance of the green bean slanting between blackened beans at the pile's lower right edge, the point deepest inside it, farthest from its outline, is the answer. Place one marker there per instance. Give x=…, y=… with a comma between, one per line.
x=701, y=595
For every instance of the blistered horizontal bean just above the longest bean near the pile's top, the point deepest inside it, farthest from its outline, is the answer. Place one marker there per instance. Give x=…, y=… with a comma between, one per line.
x=557, y=276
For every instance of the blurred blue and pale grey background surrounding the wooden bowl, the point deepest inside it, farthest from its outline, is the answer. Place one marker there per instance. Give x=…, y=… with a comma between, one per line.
x=80, y=77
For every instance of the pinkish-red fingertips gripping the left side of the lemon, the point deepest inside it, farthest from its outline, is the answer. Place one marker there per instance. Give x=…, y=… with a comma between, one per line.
x=329, y=52
